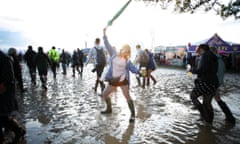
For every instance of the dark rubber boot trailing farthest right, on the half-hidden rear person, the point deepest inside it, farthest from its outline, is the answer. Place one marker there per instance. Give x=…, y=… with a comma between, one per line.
x=227, y=112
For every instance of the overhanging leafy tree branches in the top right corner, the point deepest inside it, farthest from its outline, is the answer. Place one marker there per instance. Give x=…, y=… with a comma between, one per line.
x=222, y=7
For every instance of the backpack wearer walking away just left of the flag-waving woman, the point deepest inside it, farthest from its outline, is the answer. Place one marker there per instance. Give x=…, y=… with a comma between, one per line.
x=98, y=54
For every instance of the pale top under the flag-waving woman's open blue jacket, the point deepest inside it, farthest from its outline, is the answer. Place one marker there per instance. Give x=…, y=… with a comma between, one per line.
x=119, y=67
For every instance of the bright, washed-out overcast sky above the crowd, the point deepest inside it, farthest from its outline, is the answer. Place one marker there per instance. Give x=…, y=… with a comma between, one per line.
x=70, y=23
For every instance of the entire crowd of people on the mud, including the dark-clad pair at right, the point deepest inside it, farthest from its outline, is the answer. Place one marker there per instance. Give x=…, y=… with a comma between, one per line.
x=117, y=65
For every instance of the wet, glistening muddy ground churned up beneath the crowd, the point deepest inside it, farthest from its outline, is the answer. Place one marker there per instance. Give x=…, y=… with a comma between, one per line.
x=69, y=112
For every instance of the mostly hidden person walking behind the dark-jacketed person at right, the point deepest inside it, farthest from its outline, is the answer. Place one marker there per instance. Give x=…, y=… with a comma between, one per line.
x=220, y=74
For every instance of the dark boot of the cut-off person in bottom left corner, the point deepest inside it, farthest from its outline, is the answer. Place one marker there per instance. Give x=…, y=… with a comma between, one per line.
x=18, y=130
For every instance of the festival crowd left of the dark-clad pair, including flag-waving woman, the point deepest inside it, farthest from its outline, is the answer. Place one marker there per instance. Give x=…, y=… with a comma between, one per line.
x=117, y=74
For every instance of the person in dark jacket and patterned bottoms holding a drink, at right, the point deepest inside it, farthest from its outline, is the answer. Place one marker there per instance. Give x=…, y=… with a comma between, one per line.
x=206, y=83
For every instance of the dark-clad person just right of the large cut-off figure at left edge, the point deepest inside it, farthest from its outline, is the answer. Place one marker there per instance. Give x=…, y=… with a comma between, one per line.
x=12, y=52
